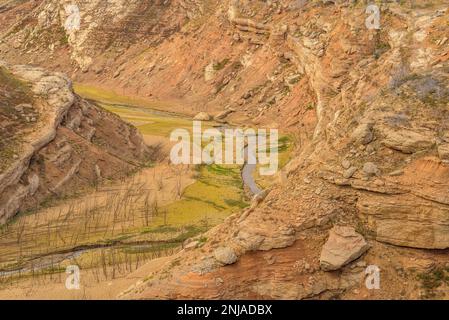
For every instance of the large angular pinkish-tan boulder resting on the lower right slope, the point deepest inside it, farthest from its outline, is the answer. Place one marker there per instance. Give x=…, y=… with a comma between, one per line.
x=343, y=246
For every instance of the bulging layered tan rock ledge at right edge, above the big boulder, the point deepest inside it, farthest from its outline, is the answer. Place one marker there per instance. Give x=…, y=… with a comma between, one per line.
x=417, y=218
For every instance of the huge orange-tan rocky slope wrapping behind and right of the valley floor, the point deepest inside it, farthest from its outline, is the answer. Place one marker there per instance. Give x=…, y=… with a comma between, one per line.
x=368, y=110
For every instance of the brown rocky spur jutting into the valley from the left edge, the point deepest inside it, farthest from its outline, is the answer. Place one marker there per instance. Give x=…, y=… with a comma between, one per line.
x=54, y=143
